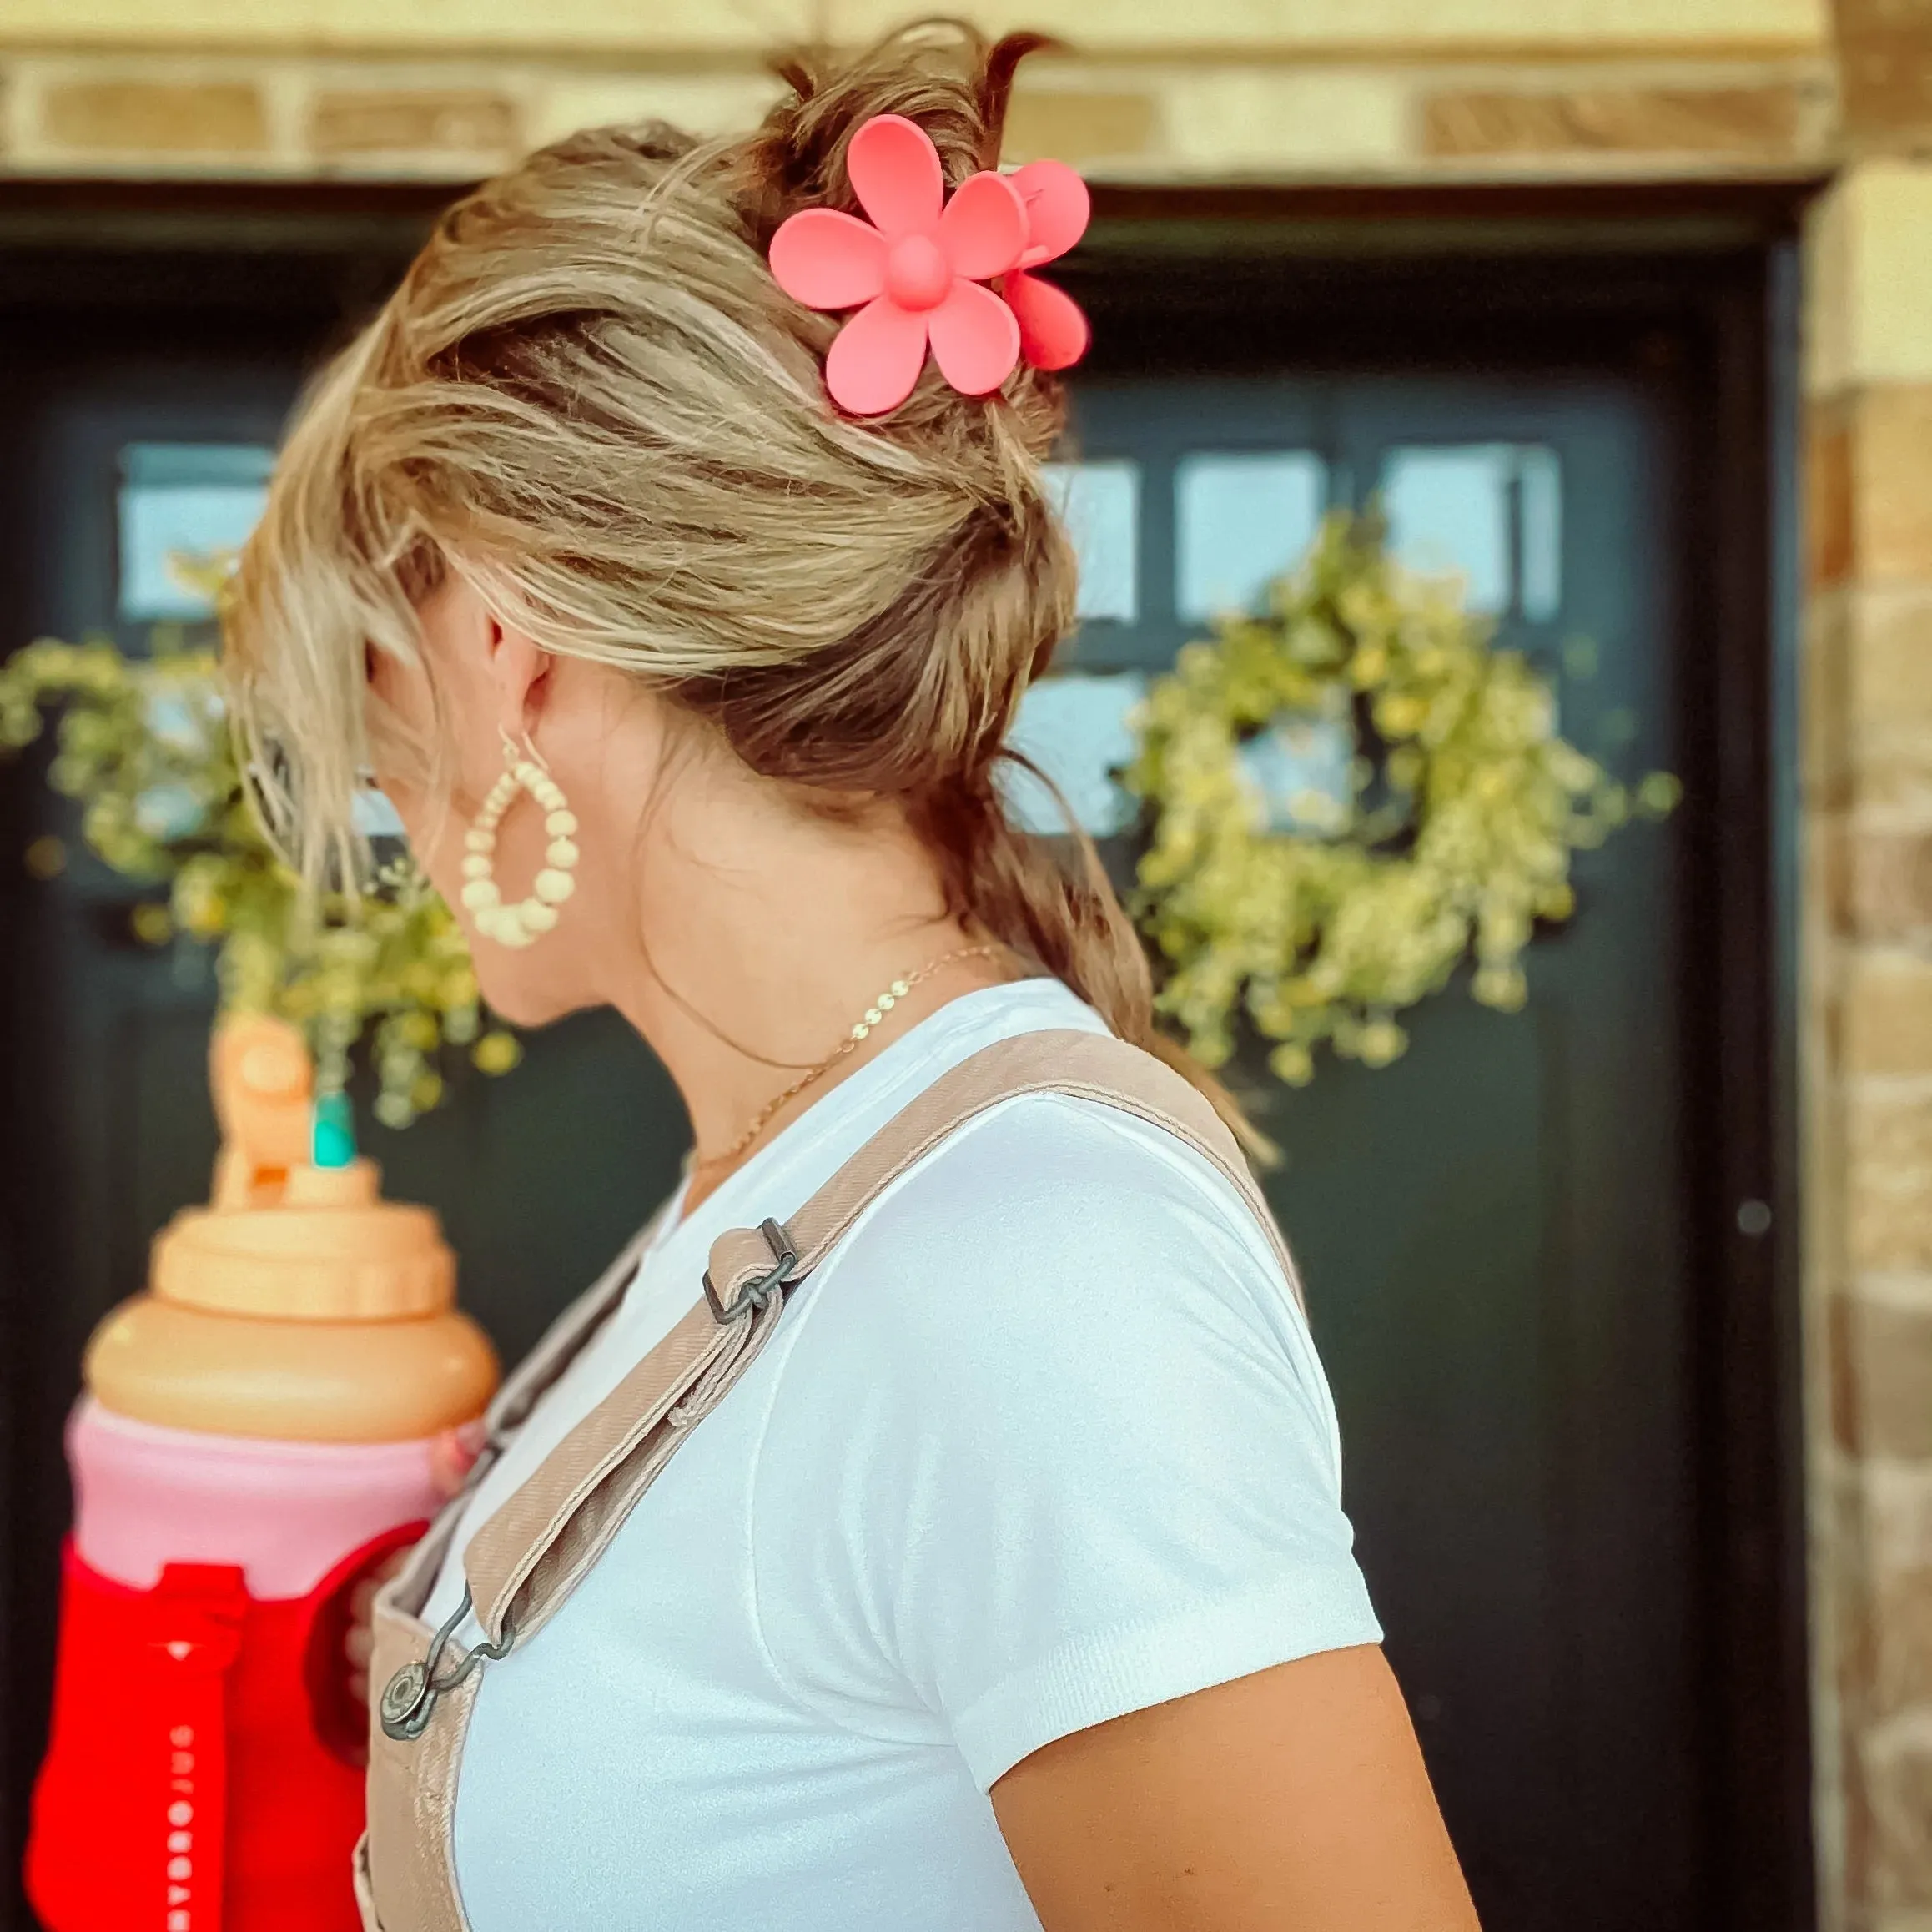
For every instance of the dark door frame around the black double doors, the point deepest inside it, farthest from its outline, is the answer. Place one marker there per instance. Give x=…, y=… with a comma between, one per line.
x=1562, y=271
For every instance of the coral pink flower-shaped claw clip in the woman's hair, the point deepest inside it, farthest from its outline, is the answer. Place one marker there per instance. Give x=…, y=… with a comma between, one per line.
x=919, y=270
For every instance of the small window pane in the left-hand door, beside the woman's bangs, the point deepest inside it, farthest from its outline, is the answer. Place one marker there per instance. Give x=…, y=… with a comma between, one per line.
x=183, y=499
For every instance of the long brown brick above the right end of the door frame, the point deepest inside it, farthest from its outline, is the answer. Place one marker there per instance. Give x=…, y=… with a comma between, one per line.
x=1761, y=123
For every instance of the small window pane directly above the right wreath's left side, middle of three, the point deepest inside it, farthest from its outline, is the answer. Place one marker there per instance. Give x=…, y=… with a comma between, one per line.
x=1241, y=523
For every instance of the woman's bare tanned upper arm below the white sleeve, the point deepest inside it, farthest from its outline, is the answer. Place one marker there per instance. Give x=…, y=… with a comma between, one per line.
x=1288, y=1800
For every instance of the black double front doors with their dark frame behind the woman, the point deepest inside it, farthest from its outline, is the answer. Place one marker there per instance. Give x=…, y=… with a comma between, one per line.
x=1568, y=1450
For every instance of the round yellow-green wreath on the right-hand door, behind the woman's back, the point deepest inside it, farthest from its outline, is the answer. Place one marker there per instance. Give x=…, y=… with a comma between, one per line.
x=1442, y=828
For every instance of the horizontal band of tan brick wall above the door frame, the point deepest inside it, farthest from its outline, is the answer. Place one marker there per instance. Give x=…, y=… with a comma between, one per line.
x=1301, y=90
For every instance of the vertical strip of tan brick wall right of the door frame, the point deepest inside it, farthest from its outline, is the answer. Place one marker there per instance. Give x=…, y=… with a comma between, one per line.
x=1869, y=1031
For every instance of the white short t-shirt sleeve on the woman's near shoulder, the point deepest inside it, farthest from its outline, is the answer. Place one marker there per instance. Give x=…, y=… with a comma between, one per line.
x=1050, y=1444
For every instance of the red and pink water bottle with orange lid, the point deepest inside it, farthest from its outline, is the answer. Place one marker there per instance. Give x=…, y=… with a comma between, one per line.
x=258, y=1433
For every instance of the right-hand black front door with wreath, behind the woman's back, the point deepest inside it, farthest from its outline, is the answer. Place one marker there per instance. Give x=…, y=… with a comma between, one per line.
x=1500, y=1230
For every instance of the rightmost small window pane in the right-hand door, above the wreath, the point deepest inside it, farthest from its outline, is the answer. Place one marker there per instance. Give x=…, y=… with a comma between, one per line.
x=1489, y=513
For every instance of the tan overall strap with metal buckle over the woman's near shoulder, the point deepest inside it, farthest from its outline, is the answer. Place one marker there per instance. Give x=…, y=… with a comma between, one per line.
x=530, y=1556
